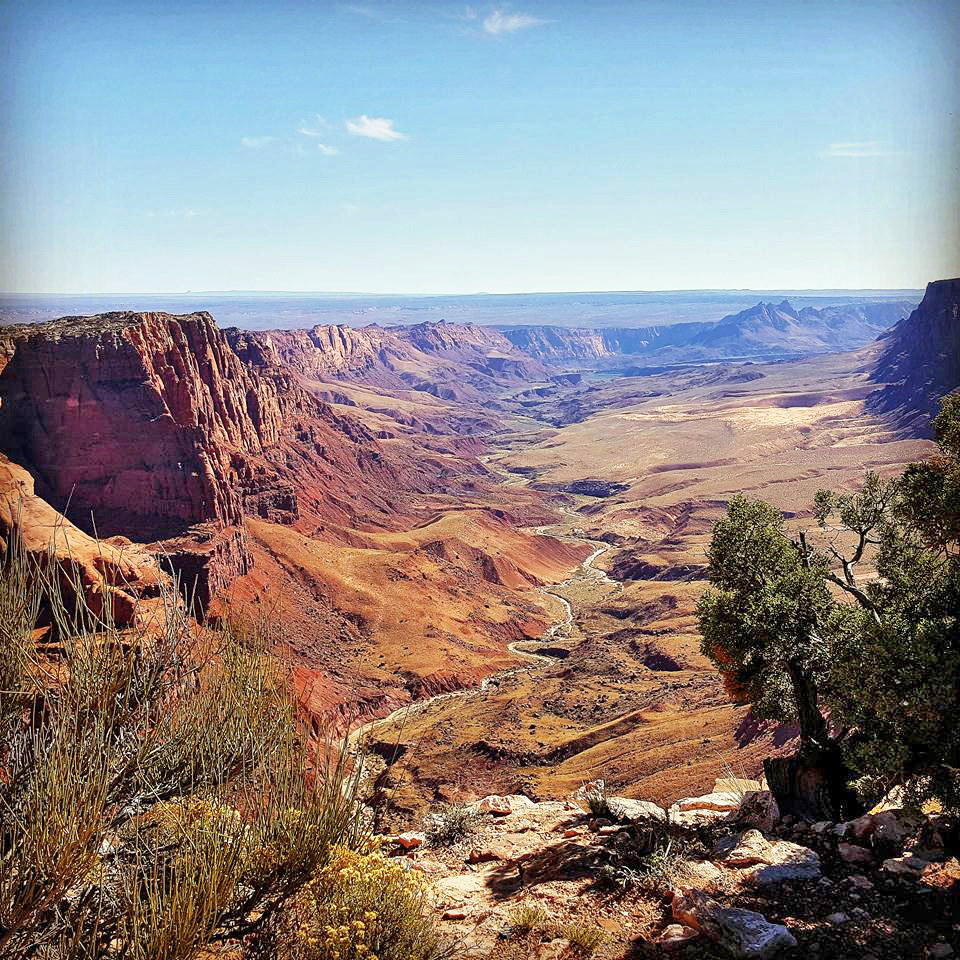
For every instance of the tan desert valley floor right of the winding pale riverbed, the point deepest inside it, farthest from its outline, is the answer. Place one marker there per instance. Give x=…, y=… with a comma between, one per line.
x=624, y=692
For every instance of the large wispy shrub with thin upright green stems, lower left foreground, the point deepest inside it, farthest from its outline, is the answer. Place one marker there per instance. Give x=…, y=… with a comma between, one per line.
x=157, y=794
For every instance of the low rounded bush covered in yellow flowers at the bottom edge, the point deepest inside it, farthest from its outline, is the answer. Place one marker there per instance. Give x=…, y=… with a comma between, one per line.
x=363, y=906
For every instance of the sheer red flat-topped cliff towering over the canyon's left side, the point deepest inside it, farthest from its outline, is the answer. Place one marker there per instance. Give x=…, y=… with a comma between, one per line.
x=151, y=426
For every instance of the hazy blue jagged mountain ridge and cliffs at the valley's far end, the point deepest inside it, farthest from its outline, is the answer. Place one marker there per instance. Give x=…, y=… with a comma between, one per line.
x=765, y=330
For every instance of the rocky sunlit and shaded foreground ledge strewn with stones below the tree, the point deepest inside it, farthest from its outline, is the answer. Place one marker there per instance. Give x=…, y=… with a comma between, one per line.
x=715, y=876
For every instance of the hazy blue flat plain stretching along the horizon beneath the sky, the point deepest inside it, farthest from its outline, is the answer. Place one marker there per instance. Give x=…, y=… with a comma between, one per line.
x=291, y=310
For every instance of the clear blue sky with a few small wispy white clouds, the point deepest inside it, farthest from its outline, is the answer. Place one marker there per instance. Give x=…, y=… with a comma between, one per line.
x=440, y=148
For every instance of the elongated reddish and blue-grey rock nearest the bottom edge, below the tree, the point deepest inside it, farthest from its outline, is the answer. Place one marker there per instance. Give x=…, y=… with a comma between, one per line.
x=744, y=933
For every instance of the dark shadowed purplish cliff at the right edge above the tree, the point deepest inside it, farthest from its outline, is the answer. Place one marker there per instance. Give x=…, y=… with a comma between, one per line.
x=920, y=358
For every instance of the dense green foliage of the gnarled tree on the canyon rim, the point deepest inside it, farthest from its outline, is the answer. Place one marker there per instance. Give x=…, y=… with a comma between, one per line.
x=856, y=619
